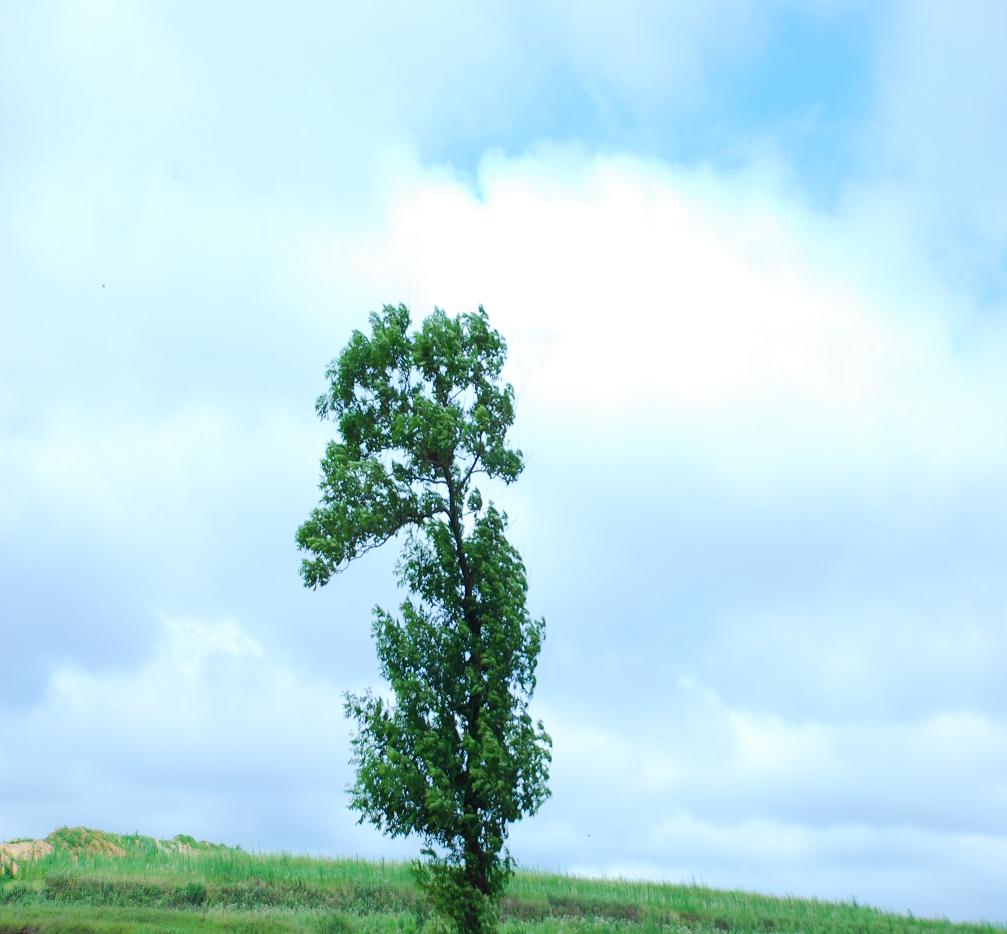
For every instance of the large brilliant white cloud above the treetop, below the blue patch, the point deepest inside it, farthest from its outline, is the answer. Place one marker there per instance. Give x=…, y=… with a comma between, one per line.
x=642, y=295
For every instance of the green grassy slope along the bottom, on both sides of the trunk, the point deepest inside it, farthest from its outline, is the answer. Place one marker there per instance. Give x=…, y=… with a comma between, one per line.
x=102, y=882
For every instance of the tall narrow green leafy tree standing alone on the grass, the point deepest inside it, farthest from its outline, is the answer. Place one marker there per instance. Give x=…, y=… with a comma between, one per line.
x=455, y=756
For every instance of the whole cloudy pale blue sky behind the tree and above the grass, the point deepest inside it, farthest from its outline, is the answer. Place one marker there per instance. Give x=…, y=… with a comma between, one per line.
x=751, y=261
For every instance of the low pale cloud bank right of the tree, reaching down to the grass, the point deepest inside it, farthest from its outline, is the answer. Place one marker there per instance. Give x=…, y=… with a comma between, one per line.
x=733, y=799
